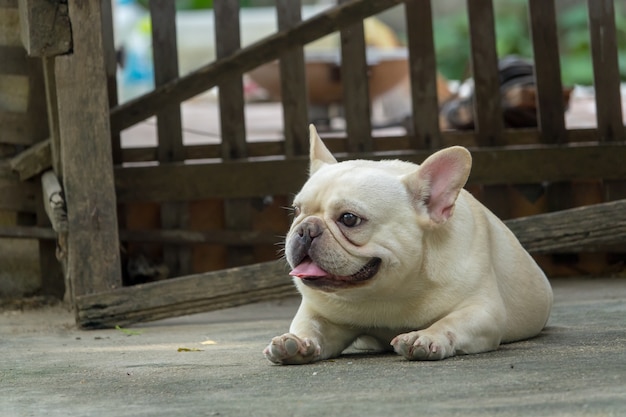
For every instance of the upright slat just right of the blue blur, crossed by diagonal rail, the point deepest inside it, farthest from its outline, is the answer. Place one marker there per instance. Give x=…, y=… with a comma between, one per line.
x=169, y=126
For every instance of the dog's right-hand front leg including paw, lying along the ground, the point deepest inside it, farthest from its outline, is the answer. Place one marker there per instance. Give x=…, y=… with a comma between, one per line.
x=465, y=331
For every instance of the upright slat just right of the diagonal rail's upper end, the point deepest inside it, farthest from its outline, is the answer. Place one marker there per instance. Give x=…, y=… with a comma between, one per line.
x=423, y=72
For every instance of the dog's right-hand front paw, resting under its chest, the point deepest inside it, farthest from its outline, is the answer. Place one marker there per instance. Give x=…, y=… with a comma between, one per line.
x=422, y=345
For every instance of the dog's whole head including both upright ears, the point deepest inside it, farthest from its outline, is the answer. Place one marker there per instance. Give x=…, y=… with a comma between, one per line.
x=358, y=220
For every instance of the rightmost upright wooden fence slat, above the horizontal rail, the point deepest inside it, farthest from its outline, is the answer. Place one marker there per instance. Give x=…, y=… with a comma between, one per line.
x=606, y=69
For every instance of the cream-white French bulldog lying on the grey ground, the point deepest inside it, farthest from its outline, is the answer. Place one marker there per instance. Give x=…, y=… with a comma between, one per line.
x=399, y=256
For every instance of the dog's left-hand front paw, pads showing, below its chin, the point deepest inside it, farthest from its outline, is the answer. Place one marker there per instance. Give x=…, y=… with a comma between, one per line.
x=289, y=349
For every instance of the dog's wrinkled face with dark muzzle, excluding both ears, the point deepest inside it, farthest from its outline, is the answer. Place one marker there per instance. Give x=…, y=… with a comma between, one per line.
x=341, y=234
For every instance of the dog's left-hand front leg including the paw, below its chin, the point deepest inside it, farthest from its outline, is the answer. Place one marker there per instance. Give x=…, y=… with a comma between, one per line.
x=310, y=340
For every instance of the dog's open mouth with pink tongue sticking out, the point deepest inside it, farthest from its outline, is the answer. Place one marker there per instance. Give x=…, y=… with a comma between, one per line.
x=313, y=275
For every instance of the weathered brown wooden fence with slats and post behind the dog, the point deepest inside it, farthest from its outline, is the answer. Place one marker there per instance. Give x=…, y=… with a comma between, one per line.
x=103, y=191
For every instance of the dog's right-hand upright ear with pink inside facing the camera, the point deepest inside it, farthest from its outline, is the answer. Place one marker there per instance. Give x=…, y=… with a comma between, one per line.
x=438, y=181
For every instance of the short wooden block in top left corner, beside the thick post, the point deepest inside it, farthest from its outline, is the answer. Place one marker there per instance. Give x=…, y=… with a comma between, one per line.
x=45, y=27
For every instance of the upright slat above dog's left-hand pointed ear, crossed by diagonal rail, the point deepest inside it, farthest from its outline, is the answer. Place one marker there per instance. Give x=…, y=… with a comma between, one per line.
x=293, y=84
